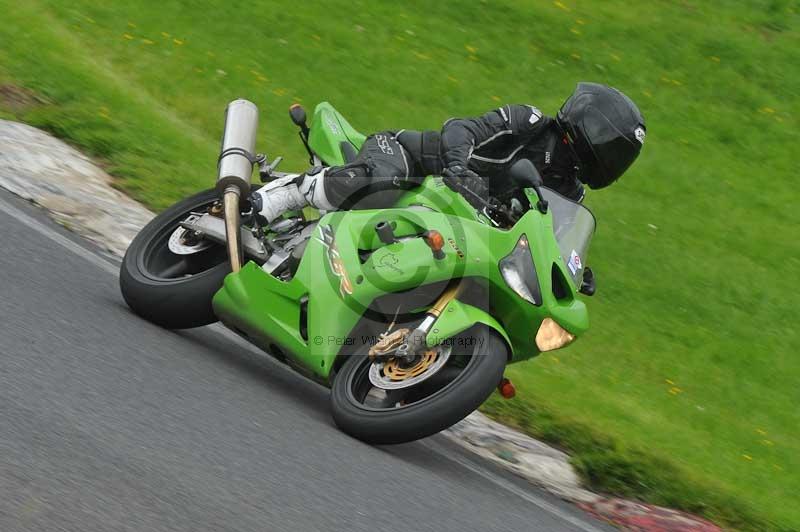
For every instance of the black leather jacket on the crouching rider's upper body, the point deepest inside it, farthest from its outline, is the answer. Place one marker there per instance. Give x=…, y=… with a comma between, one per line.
x=491, y=143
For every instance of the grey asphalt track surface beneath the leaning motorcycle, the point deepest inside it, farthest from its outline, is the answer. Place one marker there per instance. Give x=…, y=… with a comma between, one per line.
x=110, y=423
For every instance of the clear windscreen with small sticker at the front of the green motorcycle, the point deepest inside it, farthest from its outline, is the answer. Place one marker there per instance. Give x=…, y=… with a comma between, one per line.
x=573, y=226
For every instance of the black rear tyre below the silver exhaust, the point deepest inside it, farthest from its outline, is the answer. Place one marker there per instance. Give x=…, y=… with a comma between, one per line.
x=174, y=302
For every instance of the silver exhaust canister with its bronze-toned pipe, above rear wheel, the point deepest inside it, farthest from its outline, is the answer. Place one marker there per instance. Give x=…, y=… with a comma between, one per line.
x=235, y=167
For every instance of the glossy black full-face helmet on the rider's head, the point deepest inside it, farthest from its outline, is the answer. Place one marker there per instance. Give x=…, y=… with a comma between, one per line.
x=605, y=129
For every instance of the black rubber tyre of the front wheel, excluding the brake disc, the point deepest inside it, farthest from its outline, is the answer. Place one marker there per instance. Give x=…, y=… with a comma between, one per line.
x=425, y=416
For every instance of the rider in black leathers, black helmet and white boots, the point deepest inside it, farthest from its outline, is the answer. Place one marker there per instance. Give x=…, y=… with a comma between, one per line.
x=594, y=138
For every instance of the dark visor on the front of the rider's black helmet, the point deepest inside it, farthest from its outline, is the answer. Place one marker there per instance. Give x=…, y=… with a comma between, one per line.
x=613, y=152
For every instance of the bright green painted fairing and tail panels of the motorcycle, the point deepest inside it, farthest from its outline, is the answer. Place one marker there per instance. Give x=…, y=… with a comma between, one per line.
x=268, y=310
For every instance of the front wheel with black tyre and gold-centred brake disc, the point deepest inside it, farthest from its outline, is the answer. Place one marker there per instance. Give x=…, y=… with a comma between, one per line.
x=388, y=402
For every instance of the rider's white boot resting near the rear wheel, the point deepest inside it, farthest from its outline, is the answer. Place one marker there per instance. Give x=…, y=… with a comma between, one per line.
x=291, y=193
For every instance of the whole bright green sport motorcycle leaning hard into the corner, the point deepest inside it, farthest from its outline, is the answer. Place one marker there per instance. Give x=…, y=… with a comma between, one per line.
x=409, y=314
